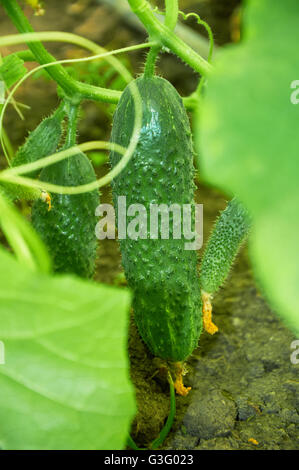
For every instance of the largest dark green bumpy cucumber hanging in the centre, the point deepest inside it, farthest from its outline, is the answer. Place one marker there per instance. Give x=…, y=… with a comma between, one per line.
x=162, y=274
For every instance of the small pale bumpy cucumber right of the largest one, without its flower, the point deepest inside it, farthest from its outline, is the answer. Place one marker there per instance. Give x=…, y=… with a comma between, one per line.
x=223, y=245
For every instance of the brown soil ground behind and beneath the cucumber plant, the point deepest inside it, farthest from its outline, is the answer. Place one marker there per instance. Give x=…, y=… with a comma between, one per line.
x=245, y=390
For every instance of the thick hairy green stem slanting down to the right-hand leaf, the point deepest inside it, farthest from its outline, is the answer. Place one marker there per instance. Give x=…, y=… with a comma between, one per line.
x=167, y=38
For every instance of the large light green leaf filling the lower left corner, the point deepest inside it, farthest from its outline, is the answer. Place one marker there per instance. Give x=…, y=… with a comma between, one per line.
x=64, y=384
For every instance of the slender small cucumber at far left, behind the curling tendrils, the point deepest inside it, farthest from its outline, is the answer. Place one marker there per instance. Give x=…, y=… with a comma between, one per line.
x=40, y=143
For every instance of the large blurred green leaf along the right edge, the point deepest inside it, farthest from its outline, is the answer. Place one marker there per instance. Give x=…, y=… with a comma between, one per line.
x=248, y=142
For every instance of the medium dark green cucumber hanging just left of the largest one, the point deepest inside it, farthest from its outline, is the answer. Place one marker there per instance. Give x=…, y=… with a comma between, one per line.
x=68, y=229
